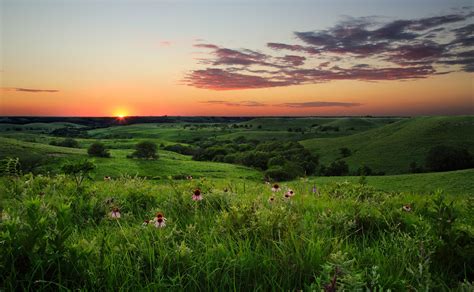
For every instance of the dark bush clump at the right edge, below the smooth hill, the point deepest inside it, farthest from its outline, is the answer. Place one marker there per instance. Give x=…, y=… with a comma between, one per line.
x=444, y=158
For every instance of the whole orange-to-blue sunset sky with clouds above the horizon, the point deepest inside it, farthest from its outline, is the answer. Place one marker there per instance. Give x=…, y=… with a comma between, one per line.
x=236, y=58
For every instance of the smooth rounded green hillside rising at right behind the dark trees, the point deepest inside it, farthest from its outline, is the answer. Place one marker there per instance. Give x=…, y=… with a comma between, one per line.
x=393, y=147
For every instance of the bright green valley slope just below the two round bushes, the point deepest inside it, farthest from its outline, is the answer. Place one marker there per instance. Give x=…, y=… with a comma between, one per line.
x=47, y=158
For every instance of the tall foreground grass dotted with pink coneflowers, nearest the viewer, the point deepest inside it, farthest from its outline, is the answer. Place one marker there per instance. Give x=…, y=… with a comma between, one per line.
x=347, y=237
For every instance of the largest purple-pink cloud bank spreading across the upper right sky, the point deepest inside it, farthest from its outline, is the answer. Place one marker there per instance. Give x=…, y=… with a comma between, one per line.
x=362, y=48
